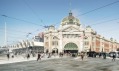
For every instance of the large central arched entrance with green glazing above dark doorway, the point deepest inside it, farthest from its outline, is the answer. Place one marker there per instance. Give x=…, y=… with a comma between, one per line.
x=71, y=47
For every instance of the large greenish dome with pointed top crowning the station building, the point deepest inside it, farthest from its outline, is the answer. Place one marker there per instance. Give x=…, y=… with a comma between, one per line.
x=70, y=20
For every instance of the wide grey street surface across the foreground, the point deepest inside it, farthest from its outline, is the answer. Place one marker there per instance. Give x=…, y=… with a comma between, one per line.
x=64, y=64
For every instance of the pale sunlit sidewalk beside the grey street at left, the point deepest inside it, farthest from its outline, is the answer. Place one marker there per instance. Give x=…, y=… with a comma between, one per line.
x=22, y=59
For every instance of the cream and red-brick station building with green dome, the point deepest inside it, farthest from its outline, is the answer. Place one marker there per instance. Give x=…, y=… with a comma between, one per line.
x=72, y=37
